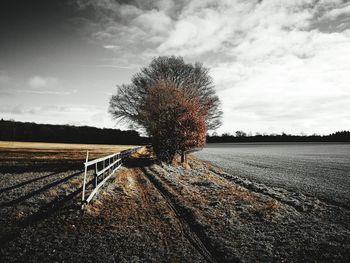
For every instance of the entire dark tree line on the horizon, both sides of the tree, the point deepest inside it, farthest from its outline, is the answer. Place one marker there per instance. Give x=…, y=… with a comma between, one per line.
x=28, y=131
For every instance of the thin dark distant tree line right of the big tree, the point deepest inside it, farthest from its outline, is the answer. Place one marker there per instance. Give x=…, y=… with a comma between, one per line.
x=240, y=136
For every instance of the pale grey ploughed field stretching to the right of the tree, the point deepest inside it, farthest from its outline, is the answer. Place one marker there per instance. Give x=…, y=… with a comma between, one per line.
x=318, y=169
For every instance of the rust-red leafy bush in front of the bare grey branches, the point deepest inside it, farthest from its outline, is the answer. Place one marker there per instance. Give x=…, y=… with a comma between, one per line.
x=177, y=119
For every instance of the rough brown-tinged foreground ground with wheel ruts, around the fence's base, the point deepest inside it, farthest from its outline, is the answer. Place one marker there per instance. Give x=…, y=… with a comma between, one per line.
x=153, y=213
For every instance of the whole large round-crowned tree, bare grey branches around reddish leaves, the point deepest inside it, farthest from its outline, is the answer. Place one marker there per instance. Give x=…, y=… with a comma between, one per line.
x=174, y=102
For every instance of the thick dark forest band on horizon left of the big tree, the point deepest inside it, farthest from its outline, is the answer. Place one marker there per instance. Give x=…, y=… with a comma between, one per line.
x=28, y=131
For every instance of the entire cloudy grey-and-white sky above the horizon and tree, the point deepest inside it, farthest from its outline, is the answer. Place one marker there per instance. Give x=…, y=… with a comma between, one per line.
x=278, y=65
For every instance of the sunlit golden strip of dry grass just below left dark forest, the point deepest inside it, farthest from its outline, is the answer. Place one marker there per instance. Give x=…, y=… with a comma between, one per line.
x=56, y=151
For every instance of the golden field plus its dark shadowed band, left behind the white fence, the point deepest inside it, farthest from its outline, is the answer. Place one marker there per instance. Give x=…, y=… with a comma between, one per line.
x=16, y=157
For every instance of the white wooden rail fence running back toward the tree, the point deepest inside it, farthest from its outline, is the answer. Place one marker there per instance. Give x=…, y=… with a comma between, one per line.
x=104, y=169
